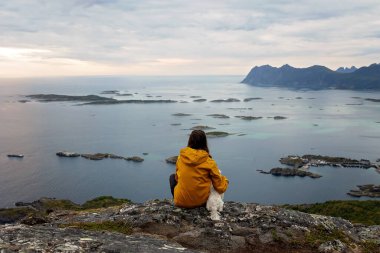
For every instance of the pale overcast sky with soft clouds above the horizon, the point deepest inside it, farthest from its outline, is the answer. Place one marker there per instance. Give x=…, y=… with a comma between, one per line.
x=197, y=37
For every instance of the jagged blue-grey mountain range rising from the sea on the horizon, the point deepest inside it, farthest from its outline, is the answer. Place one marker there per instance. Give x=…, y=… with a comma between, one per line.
x=315, y=77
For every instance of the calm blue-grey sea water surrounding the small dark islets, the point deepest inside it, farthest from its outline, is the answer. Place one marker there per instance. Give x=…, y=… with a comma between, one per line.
x=327, y=122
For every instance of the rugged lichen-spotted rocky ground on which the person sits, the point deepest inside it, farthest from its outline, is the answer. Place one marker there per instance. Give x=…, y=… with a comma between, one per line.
x=158, y=226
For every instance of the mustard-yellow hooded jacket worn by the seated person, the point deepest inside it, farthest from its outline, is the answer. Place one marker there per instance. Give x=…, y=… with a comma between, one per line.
x=195, y=171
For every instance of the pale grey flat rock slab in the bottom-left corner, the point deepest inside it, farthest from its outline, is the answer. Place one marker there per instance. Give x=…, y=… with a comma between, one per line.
x=22, y=238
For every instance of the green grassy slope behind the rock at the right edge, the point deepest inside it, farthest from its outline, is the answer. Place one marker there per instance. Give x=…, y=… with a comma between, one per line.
x=364, y=212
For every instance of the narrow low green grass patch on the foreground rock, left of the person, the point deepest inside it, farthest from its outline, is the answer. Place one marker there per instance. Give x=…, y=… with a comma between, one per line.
x=112, y=226
